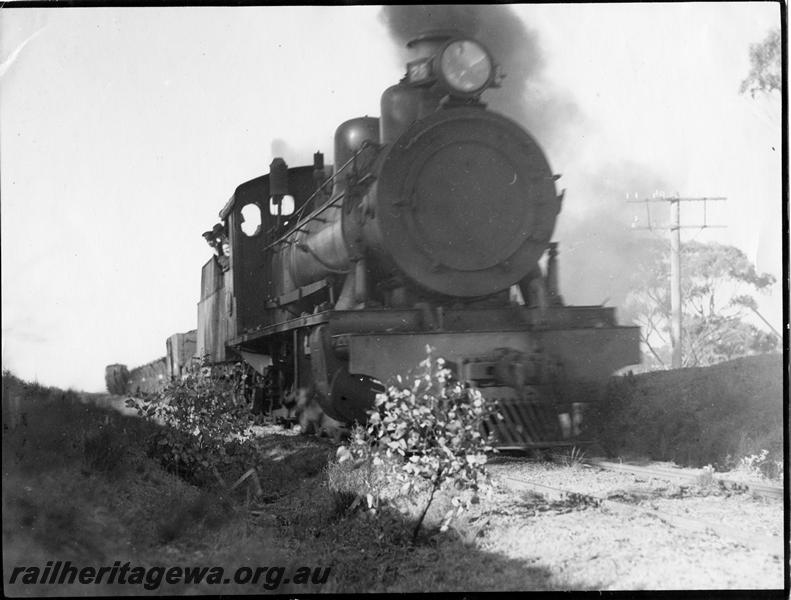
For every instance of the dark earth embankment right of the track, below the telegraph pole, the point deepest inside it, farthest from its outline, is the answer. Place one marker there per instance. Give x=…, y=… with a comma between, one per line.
x=696, y=416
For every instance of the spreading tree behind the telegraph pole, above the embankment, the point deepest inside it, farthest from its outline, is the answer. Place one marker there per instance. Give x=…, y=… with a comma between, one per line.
x=716, y=286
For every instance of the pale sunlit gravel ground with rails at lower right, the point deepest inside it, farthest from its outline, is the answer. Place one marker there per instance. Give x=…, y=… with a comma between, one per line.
x=635, y=543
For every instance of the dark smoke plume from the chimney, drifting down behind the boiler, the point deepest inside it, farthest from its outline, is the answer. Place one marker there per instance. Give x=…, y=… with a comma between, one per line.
x=597, y=246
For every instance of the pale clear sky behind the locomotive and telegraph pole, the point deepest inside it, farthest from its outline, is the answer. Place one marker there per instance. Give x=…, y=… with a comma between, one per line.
x=123, y=131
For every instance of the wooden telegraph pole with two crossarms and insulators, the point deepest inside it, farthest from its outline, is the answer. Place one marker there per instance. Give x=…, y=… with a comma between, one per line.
x=675, y=259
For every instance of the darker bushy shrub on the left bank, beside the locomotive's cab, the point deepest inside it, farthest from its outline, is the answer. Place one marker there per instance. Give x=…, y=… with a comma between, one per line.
x=201, y=415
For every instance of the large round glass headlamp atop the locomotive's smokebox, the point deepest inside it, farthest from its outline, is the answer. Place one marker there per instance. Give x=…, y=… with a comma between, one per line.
x=465, y=66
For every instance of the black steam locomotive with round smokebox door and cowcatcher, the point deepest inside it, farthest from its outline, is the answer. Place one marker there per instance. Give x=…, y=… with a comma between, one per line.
x=433, y=228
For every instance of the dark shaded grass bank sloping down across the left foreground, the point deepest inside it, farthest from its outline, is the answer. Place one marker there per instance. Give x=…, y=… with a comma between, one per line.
x=81, y=485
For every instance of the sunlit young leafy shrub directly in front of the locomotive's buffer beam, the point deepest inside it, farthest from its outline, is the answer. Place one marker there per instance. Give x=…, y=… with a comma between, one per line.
x=433, y=430
